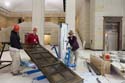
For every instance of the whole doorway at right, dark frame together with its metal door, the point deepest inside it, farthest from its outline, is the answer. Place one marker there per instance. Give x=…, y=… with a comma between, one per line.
x=112, y=33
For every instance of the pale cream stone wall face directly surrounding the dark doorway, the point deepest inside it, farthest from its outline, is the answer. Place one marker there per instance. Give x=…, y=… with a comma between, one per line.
x=103, y=8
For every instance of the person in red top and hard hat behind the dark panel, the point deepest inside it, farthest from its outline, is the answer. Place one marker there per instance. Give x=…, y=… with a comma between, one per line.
x=33, y=37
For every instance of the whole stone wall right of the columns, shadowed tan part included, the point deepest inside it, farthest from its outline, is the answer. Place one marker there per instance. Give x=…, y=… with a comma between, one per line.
x=90, y=20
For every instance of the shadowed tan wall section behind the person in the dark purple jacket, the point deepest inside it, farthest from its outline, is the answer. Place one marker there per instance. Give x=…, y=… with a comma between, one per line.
x=83, y=22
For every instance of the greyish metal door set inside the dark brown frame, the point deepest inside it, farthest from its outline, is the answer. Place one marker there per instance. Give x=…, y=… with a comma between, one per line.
x=112, y=34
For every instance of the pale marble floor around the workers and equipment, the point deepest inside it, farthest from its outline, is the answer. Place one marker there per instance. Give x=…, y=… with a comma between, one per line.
x=81, y=70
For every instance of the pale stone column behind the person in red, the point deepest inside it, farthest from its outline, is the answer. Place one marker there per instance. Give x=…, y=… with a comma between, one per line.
x=38, y=9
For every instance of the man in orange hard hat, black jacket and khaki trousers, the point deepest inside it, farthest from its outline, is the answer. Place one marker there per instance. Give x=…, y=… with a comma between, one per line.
x=15, y=47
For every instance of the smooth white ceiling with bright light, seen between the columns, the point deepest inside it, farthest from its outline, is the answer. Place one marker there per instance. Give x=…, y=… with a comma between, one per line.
x=26, y=5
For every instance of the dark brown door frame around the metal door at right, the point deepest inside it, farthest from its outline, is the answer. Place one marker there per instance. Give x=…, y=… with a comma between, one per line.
x=117, y=19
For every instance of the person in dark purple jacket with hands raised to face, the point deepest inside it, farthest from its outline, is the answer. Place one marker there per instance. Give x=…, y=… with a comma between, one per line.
x=72, y=40
